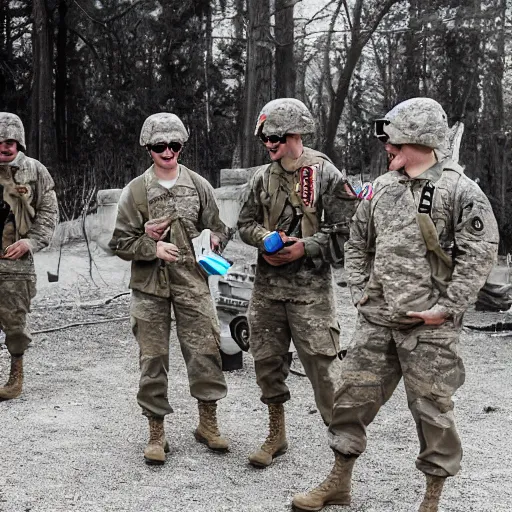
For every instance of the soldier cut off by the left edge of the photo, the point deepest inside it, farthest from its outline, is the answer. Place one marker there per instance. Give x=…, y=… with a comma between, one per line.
x=28, y=216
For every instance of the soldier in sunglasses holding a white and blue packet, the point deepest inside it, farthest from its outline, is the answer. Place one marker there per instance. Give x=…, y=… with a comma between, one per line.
x=158, y=214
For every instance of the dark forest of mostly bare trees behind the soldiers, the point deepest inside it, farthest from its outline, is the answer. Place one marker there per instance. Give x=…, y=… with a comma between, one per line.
x=84, y=74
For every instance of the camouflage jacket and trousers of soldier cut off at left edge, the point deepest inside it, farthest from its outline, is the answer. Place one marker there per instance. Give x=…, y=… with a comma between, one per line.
x=28, y=210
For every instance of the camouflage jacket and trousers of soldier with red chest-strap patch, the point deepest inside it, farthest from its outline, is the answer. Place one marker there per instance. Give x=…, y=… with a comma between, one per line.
x=296, y=300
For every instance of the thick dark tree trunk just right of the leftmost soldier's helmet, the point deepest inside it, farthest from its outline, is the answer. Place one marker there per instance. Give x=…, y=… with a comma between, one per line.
x=42, y=138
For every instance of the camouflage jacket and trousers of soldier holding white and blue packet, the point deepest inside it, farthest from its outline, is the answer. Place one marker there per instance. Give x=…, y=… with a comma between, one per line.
x=158, y=286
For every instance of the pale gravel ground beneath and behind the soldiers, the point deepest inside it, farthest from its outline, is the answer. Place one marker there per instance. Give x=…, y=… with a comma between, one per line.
x=74, y=440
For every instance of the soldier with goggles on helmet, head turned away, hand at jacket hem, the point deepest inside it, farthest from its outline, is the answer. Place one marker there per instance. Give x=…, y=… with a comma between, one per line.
x=418, y=253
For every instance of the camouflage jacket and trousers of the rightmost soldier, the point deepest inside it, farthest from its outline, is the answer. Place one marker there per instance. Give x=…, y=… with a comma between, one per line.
x=386, y=259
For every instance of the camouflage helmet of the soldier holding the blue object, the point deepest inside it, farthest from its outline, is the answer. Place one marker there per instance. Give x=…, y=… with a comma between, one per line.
x=285, y=115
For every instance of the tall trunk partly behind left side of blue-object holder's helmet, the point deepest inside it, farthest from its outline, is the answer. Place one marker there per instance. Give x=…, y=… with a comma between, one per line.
x=258, y=79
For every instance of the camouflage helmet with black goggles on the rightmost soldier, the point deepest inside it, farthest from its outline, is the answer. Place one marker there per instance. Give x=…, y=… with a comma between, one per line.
x=415, y=121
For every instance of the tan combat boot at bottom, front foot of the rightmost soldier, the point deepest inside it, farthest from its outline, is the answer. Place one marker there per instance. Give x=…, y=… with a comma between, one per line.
x=334, y=490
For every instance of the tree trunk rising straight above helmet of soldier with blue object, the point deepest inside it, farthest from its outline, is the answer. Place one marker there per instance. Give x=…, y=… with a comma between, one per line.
x=285, y=62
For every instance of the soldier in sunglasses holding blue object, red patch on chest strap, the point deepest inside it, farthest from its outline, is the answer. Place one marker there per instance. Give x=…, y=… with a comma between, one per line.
x=306, y=198
